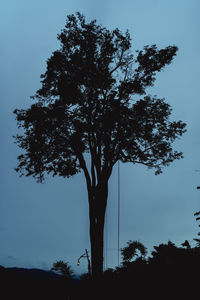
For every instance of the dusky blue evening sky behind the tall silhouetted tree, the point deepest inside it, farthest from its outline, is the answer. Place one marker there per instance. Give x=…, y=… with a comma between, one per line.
x=43, y=223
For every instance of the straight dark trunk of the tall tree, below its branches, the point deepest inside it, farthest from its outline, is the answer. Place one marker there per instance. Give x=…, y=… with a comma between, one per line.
x=97, y=208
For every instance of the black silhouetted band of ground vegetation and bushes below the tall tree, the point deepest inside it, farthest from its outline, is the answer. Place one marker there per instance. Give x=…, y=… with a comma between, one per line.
x=170, y=272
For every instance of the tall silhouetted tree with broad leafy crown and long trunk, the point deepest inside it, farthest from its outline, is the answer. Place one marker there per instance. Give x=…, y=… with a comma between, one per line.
x=85, y=117
